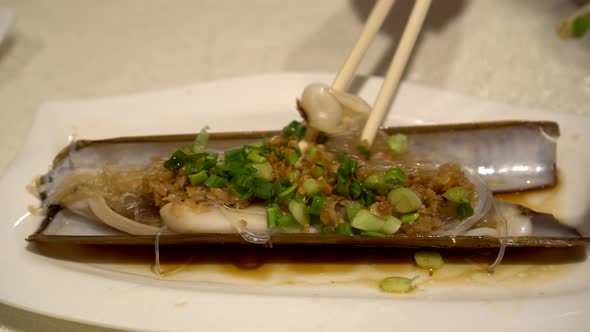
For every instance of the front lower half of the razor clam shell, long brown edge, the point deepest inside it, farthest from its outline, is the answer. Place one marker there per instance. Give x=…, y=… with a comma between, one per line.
x=547, y=232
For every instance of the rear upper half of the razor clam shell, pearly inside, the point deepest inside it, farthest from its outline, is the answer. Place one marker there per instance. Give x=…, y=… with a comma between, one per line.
x=509, y=156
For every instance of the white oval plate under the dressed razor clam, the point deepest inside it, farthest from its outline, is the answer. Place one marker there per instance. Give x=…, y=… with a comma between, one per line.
x=87, y=293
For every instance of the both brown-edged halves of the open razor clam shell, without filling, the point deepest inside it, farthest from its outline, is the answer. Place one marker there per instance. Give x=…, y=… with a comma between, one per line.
x=535, y=148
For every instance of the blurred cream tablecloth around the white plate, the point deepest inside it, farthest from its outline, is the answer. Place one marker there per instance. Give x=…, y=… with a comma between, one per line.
x=503, y=50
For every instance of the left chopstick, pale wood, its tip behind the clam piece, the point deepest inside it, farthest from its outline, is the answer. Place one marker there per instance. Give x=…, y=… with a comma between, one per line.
x=374, y=23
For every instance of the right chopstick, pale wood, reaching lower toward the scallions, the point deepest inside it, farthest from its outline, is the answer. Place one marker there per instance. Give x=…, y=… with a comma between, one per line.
x=396, y=68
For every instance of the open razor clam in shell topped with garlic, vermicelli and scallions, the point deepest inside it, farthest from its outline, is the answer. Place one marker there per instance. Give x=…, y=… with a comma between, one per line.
x=121, y=183
